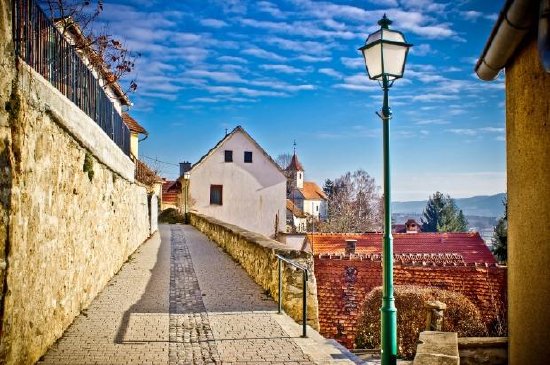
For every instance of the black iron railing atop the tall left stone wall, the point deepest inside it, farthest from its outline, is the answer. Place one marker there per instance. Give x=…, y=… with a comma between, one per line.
x=41, y=45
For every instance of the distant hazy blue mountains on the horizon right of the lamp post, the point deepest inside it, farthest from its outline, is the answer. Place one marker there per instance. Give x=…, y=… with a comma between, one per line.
x=482, y=206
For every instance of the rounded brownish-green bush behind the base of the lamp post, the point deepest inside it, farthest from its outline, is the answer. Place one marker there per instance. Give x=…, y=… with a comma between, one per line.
x=461, y=316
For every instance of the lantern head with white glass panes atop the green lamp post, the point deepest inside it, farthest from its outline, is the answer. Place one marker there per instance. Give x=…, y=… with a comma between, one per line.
x=385, y=52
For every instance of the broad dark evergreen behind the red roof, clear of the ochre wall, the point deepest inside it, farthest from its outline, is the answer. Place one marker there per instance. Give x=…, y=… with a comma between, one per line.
x=442, y=215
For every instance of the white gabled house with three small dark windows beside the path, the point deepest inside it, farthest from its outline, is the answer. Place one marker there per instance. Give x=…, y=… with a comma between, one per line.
x=239, y=183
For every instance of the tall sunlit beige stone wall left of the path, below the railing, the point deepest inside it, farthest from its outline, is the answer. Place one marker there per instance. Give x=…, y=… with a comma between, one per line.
x=63, y=232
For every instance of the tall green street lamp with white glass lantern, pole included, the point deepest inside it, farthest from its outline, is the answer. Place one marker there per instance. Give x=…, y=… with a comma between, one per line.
x=385, y=52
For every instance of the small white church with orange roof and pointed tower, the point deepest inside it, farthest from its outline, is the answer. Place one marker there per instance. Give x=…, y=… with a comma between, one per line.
x=307, y=196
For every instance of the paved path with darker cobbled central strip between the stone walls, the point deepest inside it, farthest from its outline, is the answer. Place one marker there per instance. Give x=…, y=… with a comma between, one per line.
x=181, y=300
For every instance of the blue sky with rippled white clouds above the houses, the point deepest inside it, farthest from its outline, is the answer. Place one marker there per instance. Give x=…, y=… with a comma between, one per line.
x=290, y=70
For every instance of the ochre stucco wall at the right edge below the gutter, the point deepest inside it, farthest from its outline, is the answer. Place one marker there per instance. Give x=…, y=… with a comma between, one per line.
x=528, y=170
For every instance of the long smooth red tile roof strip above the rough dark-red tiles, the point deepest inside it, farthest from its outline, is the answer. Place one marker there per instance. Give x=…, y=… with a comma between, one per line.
x=469, y=245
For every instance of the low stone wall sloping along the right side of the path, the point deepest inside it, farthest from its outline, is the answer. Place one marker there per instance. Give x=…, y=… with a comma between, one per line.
x=256, y=254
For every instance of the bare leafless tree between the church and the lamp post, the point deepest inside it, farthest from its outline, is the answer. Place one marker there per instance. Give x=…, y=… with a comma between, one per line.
x=355, y=204
